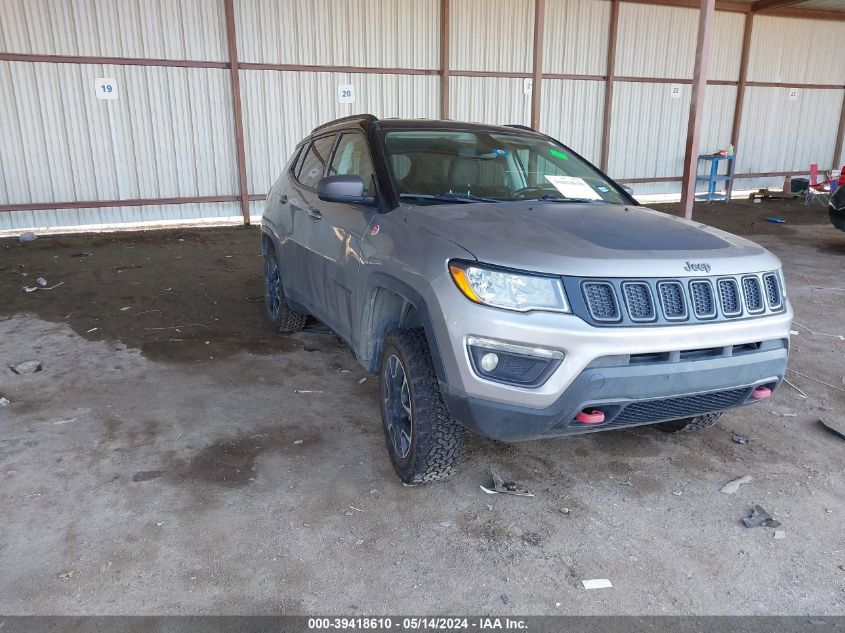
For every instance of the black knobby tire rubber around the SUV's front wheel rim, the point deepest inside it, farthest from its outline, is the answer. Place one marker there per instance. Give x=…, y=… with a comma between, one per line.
x=437, y=440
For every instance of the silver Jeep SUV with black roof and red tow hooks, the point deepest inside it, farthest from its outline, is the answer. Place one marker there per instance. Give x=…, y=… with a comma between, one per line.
x=497, y=281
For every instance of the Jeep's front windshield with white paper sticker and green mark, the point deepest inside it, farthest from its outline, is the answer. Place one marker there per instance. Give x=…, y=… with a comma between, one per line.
x=448, y=166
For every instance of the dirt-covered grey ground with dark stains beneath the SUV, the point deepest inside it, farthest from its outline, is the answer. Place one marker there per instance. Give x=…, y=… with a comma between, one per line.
x=164, y=462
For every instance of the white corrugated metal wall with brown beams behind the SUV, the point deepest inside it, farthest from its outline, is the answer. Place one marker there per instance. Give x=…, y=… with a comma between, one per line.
x=123, y=111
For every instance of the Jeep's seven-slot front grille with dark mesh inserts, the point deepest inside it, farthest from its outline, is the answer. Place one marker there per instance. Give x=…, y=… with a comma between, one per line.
x=671, y=300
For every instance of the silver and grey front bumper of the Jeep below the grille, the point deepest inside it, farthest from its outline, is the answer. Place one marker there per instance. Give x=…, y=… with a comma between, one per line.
x=509, y=412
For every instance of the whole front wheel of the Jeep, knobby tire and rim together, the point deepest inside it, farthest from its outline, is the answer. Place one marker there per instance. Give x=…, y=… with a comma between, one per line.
x=424, y=441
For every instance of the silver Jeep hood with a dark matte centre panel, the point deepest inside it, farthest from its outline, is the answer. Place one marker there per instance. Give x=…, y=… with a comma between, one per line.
x=591, y=240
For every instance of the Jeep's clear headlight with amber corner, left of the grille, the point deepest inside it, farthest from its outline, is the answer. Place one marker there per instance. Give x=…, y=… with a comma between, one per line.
x=508, y=289
